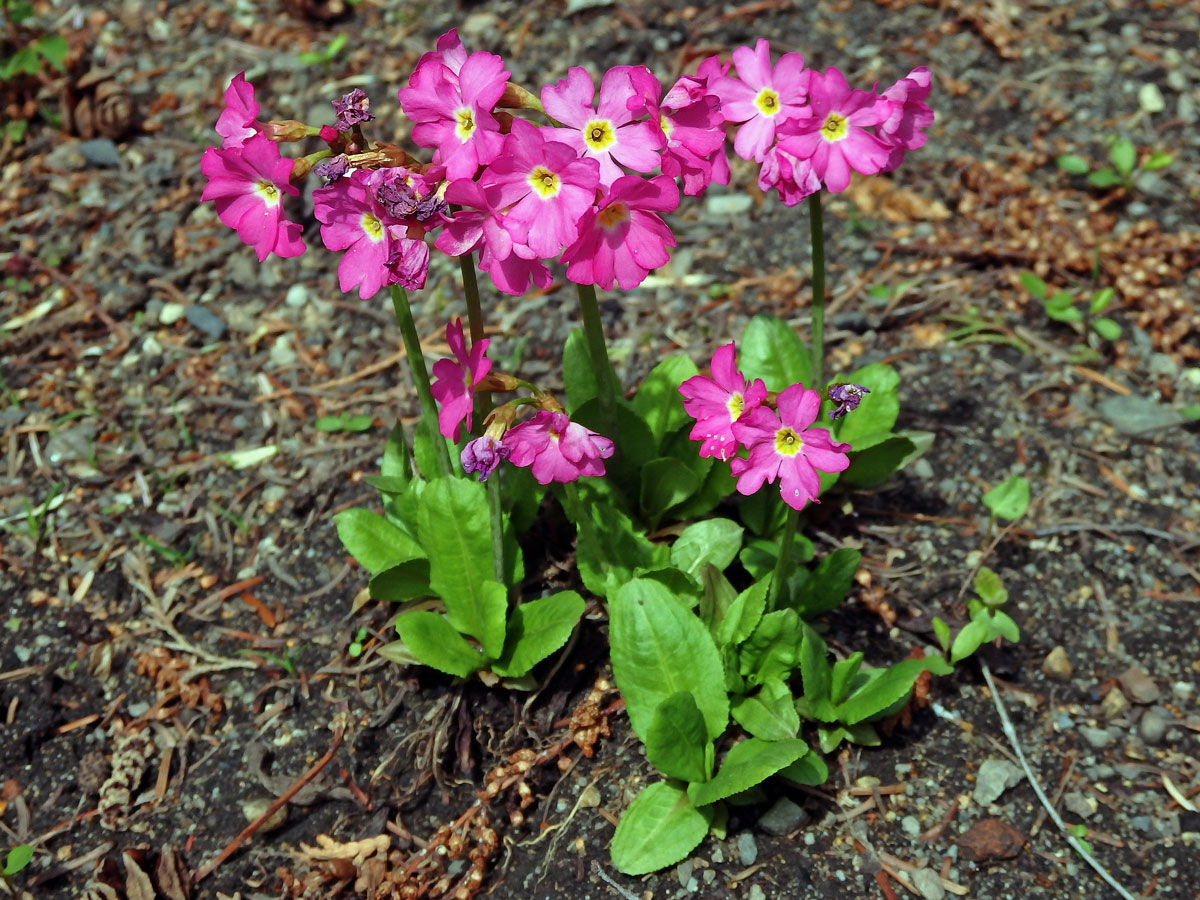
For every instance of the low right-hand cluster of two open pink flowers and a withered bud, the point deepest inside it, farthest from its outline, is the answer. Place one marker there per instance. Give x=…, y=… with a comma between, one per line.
x=777, y=434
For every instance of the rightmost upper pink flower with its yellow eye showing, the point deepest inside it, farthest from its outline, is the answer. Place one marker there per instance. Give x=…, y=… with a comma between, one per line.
x=836, y=139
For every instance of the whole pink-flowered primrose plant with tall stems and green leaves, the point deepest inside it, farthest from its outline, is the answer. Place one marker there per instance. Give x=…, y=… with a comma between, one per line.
x=686, y=494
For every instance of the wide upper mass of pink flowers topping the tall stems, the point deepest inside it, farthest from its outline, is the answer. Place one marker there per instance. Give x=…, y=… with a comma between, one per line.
x=587, y=190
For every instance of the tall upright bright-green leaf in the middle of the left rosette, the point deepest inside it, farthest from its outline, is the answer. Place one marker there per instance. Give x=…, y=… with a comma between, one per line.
x=457, y=536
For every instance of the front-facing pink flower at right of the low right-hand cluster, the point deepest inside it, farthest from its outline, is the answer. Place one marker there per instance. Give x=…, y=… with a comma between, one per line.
x=785, y=447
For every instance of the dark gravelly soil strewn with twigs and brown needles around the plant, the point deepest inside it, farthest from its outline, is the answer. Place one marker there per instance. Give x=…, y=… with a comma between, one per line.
x=157, y=591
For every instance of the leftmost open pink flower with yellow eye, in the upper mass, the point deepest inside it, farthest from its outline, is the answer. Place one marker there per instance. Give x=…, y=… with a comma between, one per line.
x=247, y=185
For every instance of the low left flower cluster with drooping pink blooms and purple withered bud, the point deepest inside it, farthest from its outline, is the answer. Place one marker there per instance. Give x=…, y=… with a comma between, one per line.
x=550, y=445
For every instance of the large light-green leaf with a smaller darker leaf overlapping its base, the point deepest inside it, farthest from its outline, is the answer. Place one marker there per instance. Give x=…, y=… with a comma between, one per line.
x=661, y=649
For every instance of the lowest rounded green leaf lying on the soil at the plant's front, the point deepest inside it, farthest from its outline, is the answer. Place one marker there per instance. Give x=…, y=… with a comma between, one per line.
x=659, y=829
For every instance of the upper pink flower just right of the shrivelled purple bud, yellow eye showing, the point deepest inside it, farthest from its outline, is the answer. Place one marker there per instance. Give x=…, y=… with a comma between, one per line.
x=452, y=111
